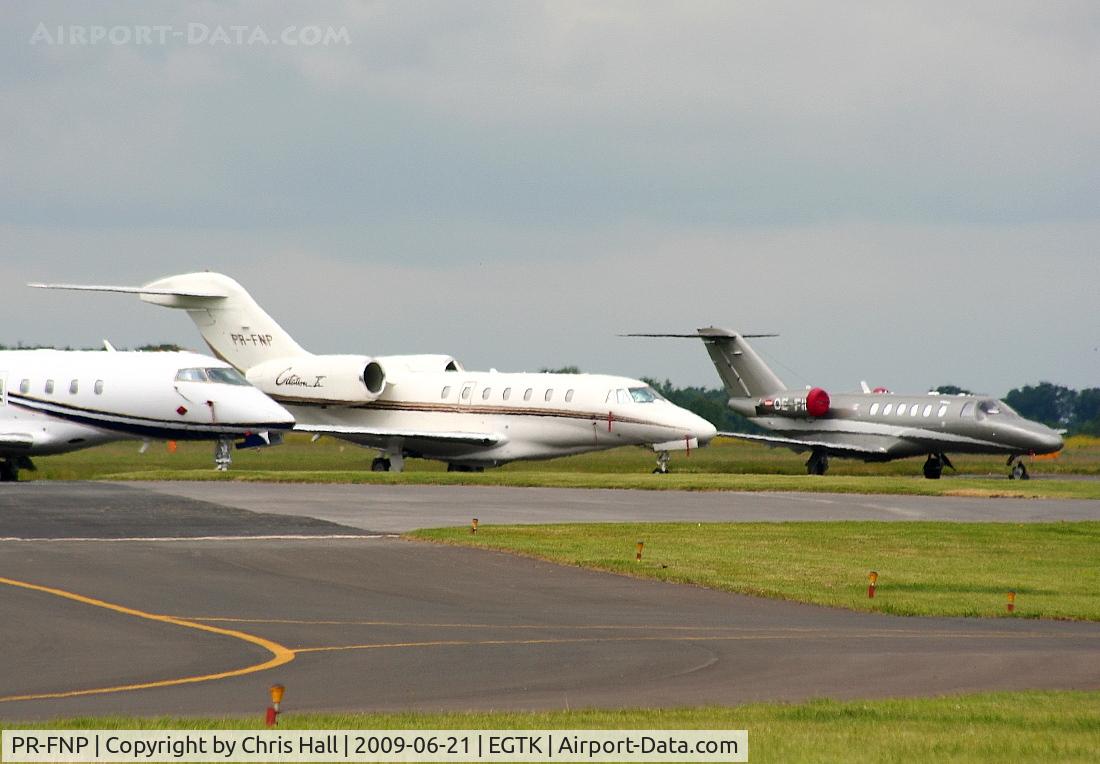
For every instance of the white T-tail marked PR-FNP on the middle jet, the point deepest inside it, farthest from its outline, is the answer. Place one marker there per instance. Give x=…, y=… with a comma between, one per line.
x=236, y=328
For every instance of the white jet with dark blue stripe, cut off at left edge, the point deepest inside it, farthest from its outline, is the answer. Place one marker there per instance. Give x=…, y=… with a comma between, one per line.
x=57, y=402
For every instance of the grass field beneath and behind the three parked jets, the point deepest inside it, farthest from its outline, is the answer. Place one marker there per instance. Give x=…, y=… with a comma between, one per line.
x=727, y=466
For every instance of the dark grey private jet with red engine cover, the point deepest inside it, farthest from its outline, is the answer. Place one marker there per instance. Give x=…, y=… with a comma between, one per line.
x=874, y=426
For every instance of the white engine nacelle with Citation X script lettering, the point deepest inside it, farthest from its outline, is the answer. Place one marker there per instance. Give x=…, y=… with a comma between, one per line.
x=334, y=380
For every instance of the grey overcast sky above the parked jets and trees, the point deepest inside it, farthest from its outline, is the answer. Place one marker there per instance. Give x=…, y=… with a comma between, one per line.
x=908, y=193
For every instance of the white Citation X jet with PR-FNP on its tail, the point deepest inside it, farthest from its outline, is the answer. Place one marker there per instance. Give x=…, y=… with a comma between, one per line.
x=425, y=406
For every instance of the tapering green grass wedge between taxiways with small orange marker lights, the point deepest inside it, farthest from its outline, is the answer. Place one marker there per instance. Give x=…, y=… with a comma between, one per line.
x=926, y=569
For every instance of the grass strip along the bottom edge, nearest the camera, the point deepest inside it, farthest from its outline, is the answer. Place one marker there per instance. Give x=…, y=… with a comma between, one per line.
x=998, y=727
